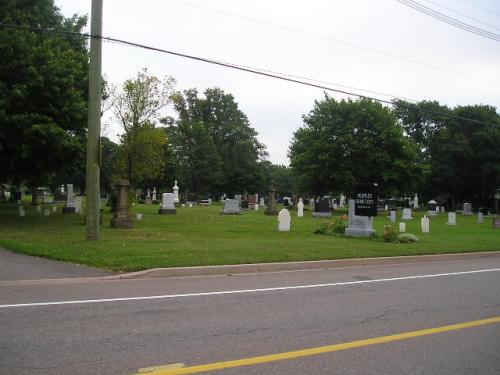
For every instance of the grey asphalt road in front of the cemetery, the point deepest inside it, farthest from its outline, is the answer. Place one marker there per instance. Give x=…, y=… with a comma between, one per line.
x=201, y=320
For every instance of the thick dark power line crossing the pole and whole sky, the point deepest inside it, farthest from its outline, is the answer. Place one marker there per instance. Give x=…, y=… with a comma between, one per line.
x=279, y=76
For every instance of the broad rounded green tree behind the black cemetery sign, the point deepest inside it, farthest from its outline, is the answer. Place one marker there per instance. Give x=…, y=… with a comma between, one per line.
x=347, y=142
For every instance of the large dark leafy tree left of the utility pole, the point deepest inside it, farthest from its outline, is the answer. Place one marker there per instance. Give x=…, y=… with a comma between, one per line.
x=43, y=92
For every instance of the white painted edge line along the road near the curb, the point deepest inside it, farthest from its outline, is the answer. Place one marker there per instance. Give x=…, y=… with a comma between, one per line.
x=260, y=290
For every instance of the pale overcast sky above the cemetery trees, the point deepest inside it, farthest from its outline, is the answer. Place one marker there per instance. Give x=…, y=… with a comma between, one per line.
x=382, y=46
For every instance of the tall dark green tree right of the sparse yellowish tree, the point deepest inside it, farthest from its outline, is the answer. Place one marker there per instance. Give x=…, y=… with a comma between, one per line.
x=230, y=150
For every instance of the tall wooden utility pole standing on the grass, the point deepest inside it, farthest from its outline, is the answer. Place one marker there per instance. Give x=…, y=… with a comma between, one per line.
x=94, y=124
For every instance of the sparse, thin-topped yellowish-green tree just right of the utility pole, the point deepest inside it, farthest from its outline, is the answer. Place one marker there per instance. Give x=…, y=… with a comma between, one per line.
x=138, y=107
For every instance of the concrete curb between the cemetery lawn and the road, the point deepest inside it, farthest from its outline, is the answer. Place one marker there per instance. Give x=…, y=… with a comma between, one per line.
x=298, y=266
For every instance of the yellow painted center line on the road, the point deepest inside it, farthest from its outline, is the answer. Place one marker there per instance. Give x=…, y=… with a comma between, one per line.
x=324, y=349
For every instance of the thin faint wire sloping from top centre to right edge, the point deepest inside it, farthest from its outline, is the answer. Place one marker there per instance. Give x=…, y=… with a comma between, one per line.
x=338, y=41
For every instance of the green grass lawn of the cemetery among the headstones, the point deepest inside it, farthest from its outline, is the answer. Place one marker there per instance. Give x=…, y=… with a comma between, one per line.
x=201, y=236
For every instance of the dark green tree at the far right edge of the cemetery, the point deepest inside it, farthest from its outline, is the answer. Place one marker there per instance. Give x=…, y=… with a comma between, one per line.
x=465, y=157
